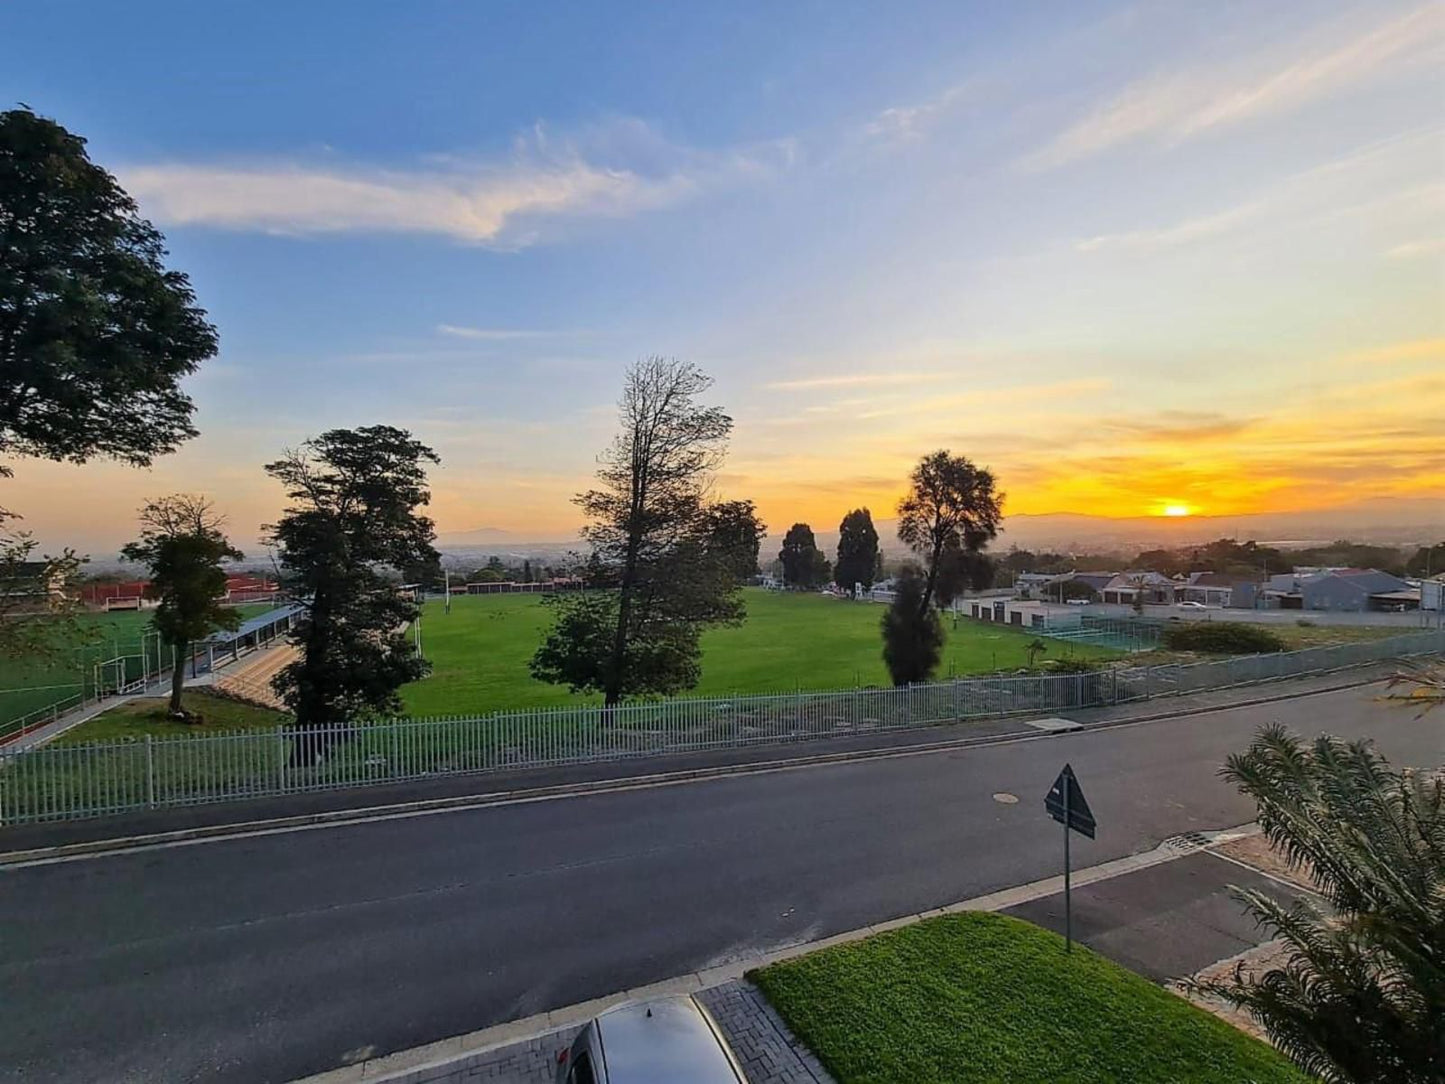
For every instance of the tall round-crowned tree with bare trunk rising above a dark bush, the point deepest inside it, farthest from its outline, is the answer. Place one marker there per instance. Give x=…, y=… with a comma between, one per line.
x=952, y=505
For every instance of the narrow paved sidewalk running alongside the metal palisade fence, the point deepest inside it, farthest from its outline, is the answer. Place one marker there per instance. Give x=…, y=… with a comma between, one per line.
x=465, y=790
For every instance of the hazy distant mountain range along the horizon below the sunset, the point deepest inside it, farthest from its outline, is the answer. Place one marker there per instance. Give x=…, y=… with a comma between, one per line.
x=1382, y=522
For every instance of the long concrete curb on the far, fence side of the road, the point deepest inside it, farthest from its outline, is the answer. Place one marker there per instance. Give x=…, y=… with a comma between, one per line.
x=558, y=791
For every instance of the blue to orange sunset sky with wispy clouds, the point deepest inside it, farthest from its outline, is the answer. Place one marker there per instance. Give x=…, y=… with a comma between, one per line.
x=1132, y=258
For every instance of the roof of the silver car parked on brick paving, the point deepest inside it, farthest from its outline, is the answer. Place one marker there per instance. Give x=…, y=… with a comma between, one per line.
x=663, y=1041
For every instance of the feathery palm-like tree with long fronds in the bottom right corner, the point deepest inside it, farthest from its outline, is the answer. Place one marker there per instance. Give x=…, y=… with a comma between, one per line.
x=1362, y=997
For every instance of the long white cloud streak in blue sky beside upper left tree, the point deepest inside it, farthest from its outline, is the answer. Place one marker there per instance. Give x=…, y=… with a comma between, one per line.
x=495, y=203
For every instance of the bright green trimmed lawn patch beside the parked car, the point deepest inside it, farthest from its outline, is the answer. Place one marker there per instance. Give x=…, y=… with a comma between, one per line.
x=980, y=998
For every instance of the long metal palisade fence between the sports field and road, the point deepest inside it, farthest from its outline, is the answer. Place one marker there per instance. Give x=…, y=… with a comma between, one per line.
x=98, y=778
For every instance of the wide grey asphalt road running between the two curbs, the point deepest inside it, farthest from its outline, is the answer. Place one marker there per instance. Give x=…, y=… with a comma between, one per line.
x=272, y=958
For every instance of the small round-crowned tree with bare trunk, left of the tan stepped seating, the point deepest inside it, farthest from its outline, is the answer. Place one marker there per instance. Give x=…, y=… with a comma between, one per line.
x=183, y=544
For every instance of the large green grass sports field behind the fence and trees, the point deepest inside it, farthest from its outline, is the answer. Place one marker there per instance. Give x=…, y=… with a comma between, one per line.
x=480, y=651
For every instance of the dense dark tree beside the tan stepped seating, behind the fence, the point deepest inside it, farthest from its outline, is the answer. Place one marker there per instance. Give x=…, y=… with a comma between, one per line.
x=355, y=498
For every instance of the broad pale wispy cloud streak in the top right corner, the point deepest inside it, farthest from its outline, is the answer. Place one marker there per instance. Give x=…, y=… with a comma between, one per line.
x=1176, y=108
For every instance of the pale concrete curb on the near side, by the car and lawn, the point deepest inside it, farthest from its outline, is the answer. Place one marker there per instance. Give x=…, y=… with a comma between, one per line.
x=444, y=1051
